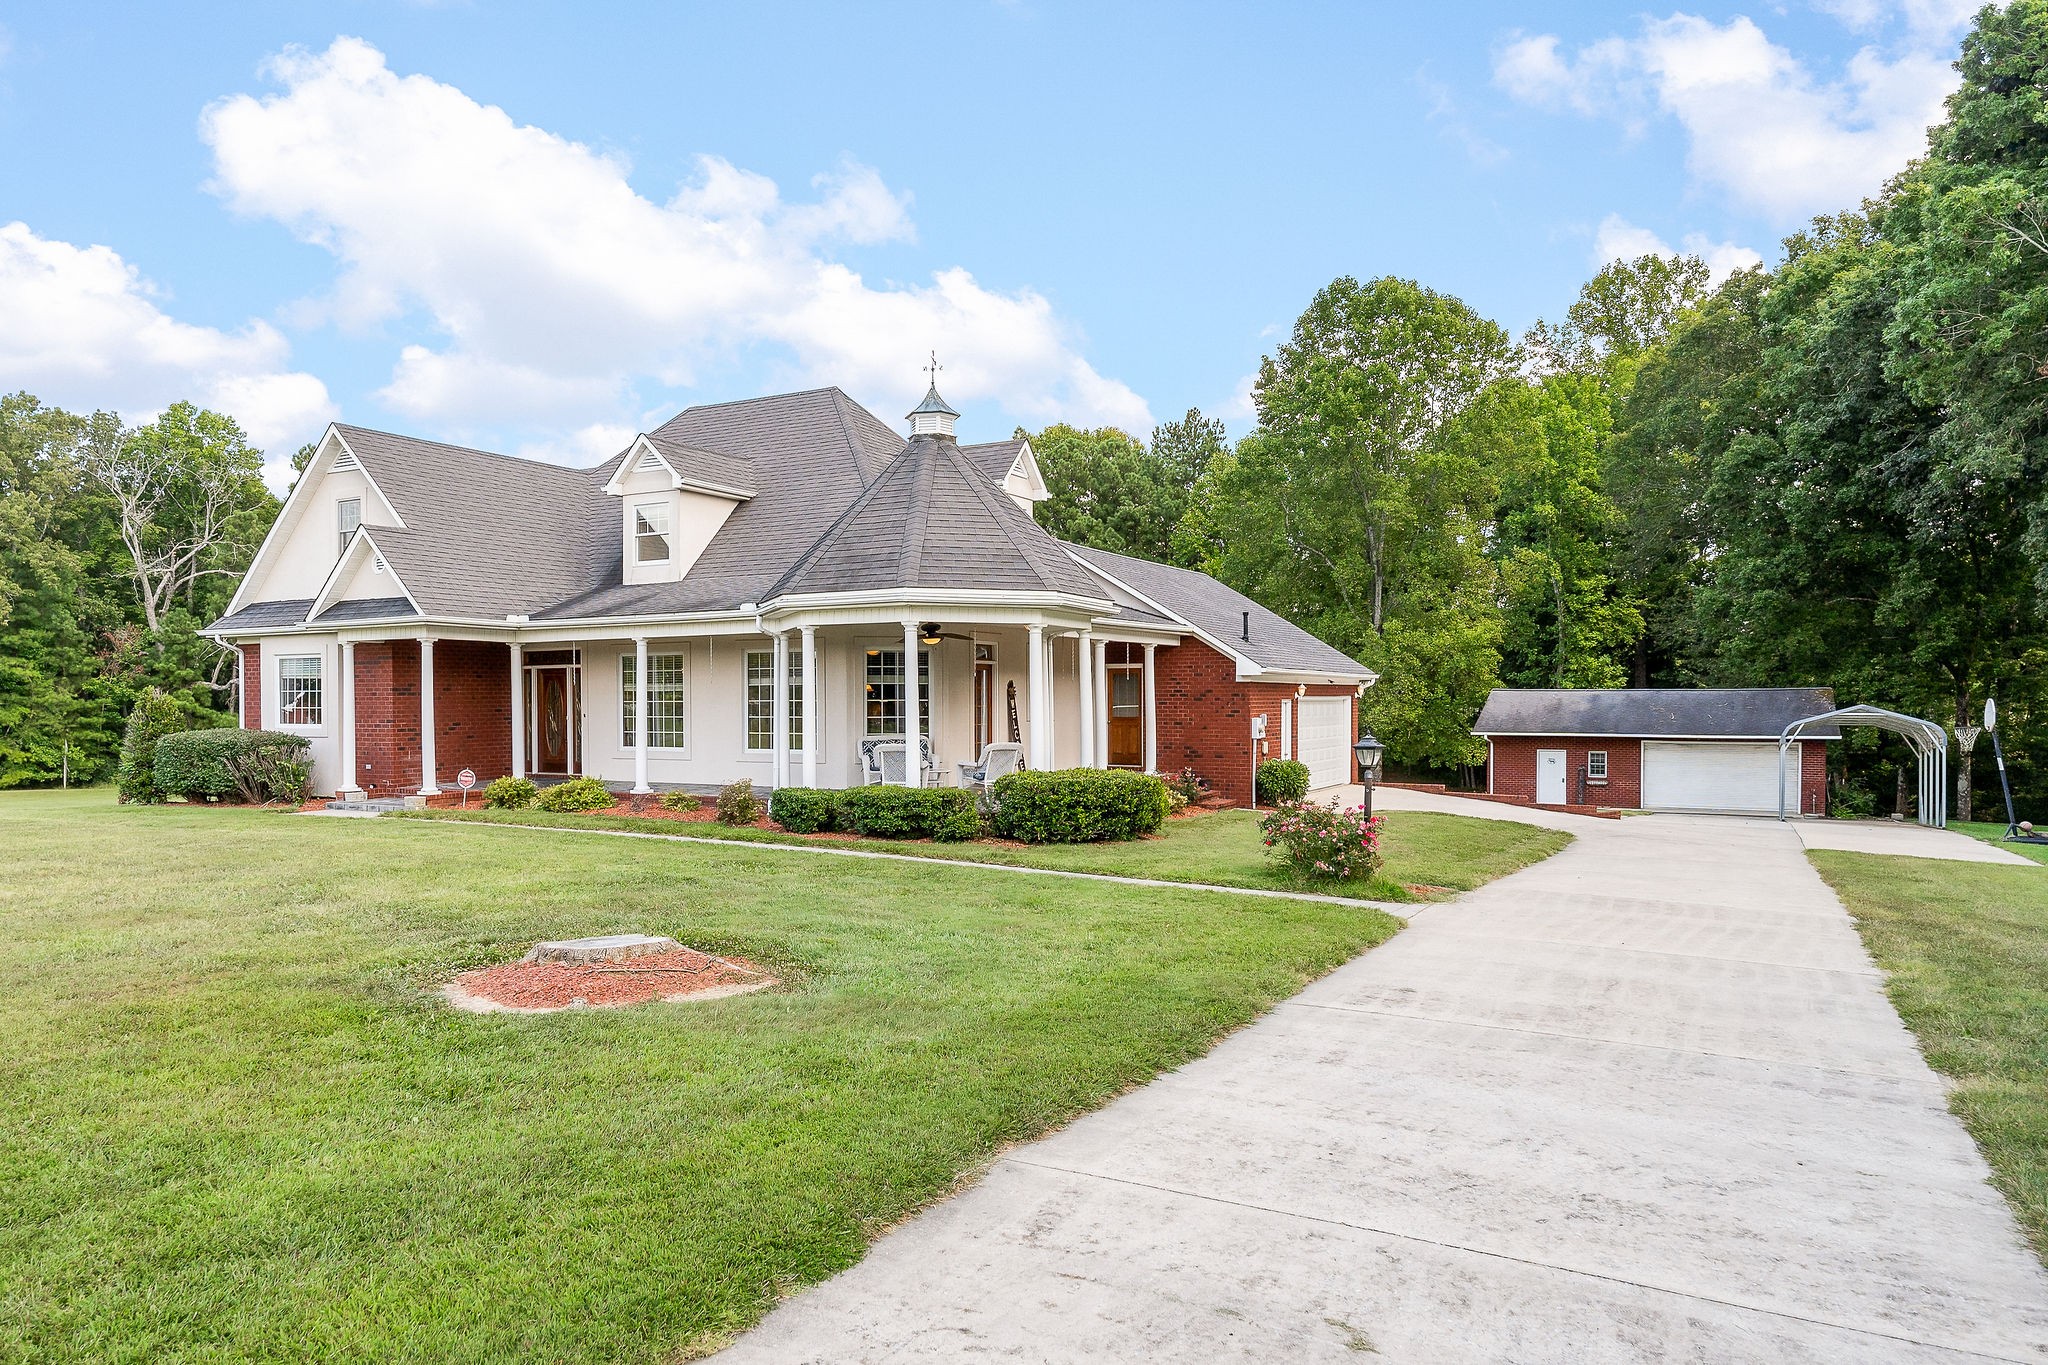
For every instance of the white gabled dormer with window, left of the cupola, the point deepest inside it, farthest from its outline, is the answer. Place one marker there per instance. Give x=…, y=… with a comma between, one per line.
x=673, y=500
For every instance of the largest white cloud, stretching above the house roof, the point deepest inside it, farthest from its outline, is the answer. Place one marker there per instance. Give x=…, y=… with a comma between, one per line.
x=556, y=285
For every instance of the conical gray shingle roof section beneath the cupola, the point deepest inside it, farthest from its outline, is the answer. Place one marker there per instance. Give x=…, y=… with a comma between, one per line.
x=935, y=521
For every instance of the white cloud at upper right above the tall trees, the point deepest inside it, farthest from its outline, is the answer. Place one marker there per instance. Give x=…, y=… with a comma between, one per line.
x=1760, y=126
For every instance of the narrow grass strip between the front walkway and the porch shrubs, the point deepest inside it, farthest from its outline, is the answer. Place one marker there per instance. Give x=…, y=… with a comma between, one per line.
x=1222, y=850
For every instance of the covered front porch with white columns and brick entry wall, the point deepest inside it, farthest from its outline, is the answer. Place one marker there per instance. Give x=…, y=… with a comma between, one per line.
x=787, y=701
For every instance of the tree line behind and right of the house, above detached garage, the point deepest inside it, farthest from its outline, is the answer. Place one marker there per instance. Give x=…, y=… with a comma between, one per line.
x=1820, y=474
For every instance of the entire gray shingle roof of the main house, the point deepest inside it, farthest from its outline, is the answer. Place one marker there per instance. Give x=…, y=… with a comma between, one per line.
x=841, y=504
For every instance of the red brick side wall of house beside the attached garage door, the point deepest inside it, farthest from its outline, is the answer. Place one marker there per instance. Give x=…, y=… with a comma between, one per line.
x=1205, y=717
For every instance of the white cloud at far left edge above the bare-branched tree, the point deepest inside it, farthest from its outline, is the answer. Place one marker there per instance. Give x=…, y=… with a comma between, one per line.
x=83, y=328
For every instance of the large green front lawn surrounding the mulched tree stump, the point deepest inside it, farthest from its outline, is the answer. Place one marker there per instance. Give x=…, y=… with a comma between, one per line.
x=241, y=1125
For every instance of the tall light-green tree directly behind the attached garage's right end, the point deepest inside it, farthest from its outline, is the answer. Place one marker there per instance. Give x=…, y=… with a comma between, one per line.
x=1359, y=504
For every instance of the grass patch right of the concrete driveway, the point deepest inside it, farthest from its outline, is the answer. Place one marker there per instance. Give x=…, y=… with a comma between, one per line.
x=1965, y=949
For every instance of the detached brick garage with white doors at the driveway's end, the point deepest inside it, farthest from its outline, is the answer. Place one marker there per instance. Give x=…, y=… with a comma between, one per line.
x=1707, y=750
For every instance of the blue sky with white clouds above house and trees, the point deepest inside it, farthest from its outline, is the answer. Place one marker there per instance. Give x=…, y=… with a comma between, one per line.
x=544, y=228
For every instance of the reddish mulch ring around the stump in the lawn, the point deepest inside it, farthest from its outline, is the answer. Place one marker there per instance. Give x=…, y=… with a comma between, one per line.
x=546, y=987
